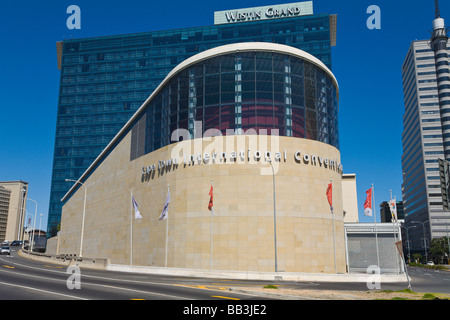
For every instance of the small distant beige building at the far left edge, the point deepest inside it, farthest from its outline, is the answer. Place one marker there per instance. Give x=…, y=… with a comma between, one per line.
x=13, y=196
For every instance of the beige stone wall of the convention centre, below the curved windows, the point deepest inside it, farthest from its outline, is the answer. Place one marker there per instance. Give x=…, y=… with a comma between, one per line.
x=243, y=224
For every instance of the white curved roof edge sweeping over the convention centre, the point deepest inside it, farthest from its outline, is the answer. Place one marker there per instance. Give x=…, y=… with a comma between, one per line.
x=205, y=55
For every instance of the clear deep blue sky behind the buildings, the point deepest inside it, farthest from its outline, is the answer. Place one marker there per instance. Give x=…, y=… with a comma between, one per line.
x=367, y=64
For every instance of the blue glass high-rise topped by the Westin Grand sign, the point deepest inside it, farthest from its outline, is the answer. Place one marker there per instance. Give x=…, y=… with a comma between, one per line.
x=104, y=80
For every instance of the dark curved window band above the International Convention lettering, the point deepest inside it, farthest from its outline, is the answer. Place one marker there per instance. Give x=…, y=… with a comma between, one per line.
x=245, y=90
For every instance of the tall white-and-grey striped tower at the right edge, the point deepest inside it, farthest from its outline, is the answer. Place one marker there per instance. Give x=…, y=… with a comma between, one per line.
x=426, y=136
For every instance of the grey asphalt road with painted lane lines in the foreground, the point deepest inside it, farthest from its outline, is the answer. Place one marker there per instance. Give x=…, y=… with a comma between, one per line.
x=25, y=279
